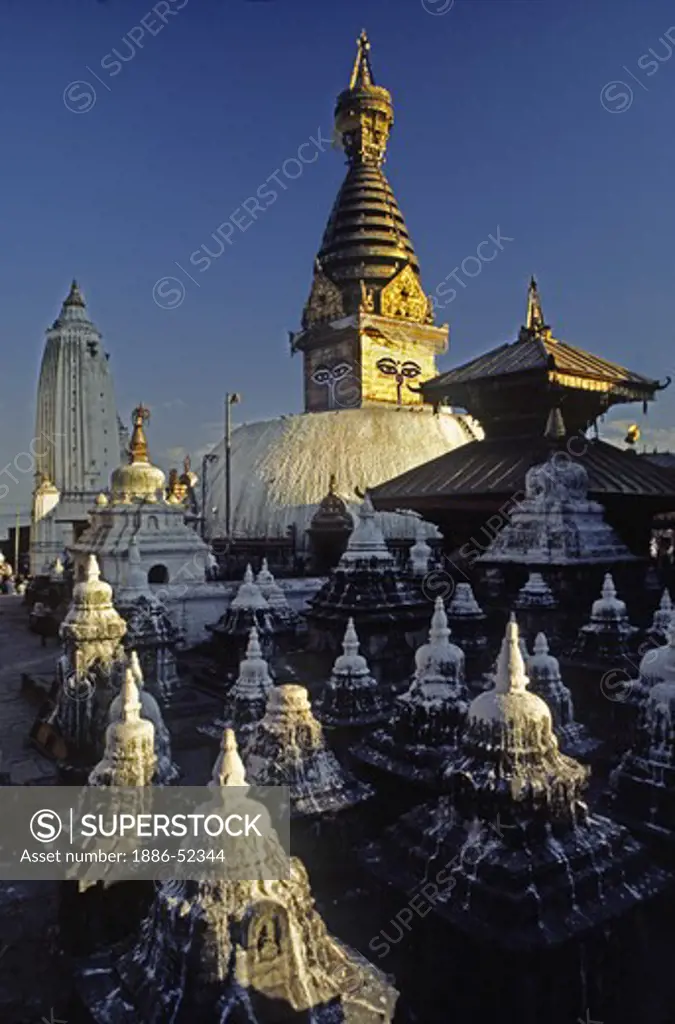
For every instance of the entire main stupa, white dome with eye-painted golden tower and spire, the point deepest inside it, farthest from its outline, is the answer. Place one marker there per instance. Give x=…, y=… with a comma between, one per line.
x=368, y=343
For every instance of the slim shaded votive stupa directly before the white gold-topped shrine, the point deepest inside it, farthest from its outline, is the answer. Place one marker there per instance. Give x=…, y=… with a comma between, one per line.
x=151, y=631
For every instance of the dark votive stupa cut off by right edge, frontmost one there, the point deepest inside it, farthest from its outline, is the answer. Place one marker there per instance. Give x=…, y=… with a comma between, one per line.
x=643, y=788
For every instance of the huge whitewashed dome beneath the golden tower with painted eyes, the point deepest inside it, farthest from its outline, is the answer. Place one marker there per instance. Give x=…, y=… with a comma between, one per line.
x=281, y=467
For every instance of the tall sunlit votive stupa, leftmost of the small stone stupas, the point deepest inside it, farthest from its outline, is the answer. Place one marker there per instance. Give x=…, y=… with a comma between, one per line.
x=89, y=673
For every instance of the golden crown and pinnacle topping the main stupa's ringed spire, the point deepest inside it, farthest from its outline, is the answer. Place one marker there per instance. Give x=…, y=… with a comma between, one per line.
x=364, y=113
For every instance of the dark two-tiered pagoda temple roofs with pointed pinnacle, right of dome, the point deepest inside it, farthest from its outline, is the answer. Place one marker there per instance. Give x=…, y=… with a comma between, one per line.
x=533, y=398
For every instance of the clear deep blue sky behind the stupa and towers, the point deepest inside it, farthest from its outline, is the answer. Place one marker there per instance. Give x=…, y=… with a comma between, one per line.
x=500, y=122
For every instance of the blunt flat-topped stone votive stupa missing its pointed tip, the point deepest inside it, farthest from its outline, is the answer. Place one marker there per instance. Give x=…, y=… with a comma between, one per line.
x=288, y=749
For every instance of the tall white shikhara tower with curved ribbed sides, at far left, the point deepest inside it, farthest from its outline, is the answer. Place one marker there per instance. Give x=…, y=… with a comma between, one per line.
x=77, y=434
